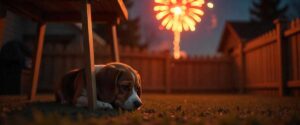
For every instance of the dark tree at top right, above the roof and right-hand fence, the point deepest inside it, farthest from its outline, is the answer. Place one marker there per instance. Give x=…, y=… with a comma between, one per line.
x=267, y=10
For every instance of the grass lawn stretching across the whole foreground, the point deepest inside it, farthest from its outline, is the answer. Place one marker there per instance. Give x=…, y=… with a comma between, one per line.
x=162, y=109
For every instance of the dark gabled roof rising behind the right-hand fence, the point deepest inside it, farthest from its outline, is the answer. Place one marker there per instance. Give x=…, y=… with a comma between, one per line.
x=245, y=31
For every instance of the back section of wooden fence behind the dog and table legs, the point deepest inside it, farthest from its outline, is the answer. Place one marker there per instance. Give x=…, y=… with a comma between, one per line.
x=159, y=72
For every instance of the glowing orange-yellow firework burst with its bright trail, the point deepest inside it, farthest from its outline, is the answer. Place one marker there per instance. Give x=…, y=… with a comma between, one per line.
x=178, y=16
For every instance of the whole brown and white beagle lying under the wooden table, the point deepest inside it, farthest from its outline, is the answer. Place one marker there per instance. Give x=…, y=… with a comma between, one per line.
x=117, y=86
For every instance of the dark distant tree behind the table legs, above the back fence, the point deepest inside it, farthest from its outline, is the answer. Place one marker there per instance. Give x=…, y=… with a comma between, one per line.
x=128, y=31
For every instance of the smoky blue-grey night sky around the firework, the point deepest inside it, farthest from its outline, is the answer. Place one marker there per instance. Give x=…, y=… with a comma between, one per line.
x=205, y=39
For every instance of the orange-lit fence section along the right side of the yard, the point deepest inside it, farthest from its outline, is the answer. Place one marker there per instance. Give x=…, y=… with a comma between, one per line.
x=271, y=62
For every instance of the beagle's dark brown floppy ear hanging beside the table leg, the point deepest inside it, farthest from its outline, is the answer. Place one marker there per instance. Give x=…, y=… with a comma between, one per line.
x=106, y=80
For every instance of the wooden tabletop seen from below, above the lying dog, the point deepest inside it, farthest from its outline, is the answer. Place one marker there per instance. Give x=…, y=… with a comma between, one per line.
x=67, y=10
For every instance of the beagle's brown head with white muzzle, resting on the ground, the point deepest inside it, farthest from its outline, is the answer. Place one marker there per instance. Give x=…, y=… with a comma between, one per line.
x=120, y=85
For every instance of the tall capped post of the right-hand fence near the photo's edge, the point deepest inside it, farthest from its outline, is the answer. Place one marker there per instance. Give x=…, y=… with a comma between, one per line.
x=282, y=57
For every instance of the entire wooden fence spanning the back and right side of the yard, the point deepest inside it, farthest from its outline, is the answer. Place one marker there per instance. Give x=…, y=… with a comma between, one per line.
x=268, y=64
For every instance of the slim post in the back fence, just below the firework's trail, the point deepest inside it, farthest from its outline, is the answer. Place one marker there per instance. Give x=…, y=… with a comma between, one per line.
x=167, y=72
